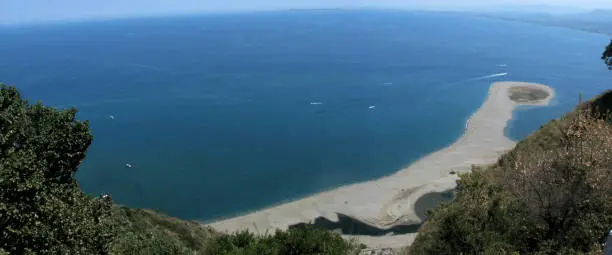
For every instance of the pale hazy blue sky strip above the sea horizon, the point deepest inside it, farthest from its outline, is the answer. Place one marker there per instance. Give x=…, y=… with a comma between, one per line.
x=36, y=11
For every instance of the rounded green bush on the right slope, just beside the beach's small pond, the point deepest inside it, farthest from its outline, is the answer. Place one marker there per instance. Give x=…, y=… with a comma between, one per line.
x=482, y=219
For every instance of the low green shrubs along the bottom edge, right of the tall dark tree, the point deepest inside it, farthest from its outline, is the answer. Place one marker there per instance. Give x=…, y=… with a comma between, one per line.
x=146, y=232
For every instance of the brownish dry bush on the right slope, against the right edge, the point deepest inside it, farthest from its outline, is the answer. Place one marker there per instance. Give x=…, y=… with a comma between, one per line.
x=567, y=190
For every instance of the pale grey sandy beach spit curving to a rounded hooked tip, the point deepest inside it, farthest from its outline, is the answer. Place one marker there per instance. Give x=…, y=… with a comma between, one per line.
x=389, y=201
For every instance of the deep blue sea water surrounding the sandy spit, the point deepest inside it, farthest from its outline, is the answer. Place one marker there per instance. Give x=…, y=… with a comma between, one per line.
x=208, y=104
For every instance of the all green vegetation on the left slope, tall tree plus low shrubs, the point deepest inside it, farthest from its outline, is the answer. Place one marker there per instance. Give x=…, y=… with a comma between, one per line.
x=43, y=211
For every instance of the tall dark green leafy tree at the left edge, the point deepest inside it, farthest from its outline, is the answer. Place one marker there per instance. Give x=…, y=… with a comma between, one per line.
x=42, y=209
